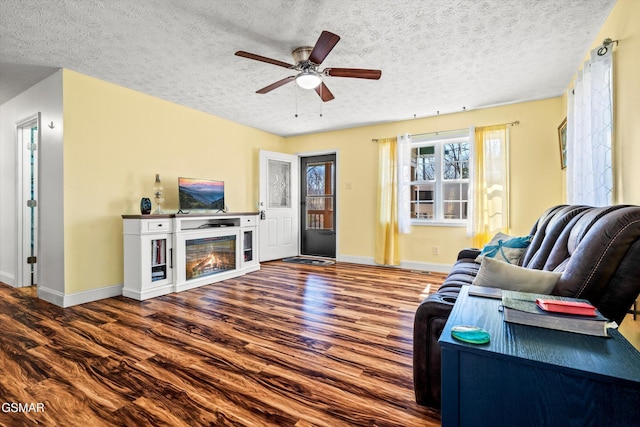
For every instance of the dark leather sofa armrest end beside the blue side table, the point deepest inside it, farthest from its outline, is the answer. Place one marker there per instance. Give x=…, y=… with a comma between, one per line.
x=429, y=321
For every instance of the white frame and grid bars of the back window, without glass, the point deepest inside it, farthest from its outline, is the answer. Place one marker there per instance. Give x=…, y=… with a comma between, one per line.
x=438, y=141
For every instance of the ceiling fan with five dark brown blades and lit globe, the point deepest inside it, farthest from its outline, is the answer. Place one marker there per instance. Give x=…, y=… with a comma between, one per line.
x=307, y=60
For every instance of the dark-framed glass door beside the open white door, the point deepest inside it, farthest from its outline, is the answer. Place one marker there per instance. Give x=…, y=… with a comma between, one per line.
x=318, y=205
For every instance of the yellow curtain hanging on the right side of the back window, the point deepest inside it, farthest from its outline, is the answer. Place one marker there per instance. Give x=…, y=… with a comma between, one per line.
x=491, y=184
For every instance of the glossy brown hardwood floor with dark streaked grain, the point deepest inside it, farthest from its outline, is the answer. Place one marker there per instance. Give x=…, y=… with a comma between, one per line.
x=290, y=345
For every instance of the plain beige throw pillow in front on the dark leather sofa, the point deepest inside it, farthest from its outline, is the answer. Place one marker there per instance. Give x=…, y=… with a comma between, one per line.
x=499, y=274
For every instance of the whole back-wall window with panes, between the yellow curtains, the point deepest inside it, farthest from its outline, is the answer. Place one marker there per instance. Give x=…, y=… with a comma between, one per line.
x=440, y=178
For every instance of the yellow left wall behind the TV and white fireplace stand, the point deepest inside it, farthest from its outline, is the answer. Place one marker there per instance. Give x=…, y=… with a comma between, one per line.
x=115, y=141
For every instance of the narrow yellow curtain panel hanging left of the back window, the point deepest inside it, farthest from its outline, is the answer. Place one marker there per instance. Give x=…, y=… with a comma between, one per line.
x=387, y=236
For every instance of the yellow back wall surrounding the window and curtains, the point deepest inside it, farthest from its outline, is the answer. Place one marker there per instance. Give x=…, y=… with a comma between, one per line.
x=536, y=177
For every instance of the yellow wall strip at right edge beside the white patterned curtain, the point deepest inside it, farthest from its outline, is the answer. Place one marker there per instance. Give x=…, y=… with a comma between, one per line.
x=622, y=25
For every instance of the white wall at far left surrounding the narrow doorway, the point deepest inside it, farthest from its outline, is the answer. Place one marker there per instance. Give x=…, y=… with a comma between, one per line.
x=45, y=97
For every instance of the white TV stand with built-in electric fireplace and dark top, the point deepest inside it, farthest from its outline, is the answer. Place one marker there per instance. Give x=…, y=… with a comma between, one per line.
x=173, y=253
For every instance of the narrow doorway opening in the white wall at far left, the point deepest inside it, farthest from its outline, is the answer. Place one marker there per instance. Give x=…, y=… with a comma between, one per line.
x=28, y=138
